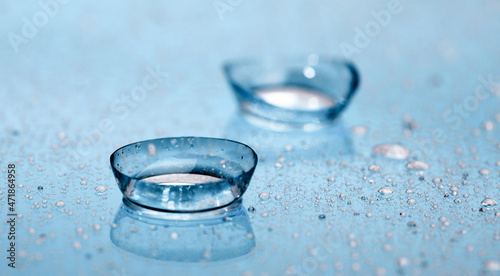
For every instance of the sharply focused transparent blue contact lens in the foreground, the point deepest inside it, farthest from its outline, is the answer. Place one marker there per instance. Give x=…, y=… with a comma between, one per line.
x=183, y=174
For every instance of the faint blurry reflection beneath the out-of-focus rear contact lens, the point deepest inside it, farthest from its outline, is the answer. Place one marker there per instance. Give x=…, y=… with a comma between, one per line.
x=332, y=140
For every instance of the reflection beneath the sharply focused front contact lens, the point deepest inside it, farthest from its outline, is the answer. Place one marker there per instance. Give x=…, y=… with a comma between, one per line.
x=221, y=234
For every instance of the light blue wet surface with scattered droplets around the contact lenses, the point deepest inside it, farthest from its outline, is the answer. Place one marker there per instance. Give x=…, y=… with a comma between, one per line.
x=74, y=91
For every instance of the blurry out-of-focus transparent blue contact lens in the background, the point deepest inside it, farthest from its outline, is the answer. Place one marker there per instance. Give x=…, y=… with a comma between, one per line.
x=304, y=93
